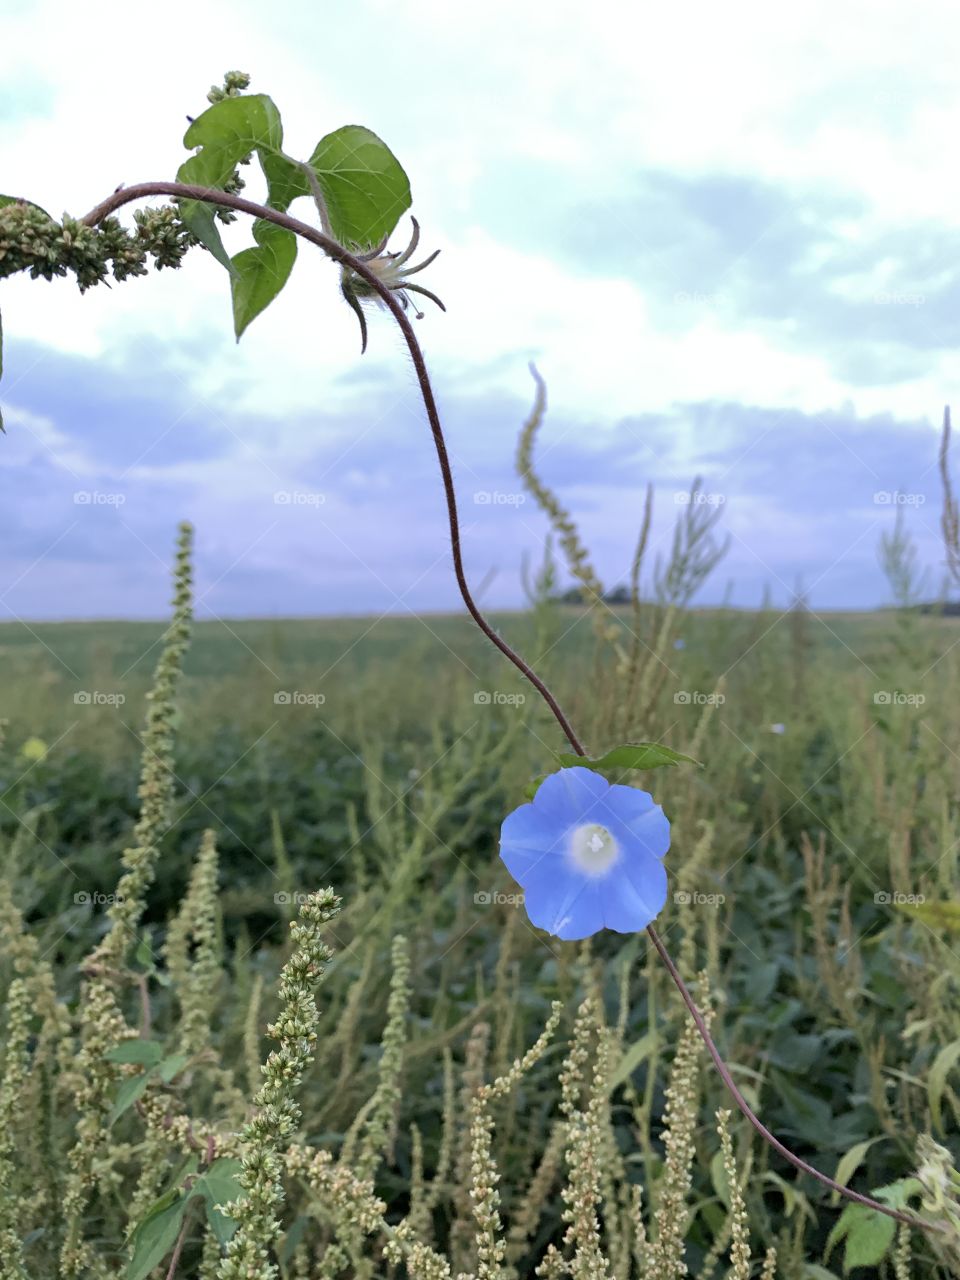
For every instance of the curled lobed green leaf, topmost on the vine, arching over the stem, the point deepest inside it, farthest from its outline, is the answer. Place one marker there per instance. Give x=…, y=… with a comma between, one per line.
x=227, y=132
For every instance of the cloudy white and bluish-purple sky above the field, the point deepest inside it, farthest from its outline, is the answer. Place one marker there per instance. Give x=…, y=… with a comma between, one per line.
x=729, y=237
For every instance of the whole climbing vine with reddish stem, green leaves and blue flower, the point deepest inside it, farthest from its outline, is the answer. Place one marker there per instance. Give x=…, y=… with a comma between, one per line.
x=359, y=191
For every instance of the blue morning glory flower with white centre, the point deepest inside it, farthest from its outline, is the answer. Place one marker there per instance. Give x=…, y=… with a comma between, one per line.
x=588, y=856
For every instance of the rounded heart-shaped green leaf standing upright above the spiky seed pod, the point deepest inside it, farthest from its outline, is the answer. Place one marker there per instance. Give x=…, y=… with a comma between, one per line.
x=364, y=186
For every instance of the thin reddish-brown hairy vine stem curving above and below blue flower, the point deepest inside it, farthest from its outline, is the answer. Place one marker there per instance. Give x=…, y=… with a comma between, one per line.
x=336, y=252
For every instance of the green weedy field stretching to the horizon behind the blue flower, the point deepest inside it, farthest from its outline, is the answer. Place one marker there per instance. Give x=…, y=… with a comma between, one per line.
x=830, y=785
